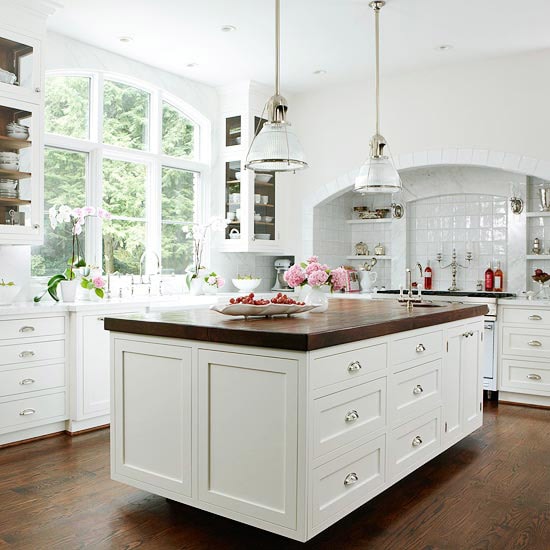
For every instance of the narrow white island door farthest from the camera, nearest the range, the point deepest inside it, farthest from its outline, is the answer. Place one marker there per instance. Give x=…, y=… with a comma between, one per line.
x=472, y=380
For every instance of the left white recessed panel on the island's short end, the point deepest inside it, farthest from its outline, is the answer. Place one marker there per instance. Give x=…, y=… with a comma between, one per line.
x=151, y=432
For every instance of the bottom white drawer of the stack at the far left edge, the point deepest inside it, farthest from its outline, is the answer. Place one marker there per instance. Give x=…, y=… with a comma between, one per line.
x=14, y=414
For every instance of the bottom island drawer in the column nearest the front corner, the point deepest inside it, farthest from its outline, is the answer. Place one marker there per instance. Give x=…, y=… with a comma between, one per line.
x=347, y=479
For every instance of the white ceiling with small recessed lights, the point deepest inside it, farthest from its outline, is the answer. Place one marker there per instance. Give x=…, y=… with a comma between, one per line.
x=333, y=35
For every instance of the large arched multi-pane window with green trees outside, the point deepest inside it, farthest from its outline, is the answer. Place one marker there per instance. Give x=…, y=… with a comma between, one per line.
x=132, y=149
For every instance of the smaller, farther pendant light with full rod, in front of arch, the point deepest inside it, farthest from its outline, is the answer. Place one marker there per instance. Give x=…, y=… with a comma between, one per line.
x=378, y=174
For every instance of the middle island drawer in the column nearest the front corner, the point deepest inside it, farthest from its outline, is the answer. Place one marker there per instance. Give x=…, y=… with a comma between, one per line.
x=347, y=415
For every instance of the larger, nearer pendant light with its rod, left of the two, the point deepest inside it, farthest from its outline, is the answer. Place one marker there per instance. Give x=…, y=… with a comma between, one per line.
x=276, y=148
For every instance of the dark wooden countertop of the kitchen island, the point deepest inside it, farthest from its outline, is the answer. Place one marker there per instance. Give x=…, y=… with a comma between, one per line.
x=345, y=321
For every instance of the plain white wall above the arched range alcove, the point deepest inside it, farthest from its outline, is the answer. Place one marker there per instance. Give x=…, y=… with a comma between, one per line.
x=497, y=105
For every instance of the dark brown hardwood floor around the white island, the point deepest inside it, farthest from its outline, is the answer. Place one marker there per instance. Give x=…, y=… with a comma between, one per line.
x=490, y=491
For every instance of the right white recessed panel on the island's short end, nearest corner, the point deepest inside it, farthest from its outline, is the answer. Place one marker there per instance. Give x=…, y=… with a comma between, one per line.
x=248, y=426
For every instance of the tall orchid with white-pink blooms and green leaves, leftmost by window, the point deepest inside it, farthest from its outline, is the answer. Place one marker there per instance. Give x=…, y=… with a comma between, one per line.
x=76, y=218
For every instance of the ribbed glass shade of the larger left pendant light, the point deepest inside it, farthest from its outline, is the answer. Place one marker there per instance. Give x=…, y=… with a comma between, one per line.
x=276, y=148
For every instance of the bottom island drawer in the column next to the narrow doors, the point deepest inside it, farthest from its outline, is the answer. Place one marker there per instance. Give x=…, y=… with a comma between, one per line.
x=414, y=442
